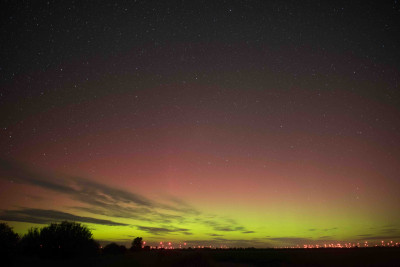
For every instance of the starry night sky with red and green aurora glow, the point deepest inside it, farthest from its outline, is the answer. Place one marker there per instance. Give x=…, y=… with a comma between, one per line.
x=223, y=123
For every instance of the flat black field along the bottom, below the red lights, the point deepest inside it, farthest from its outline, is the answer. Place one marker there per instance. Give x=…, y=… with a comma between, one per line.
x=265, y=257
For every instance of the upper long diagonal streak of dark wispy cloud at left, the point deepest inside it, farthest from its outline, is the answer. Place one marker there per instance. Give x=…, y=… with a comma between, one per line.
x=97, y=198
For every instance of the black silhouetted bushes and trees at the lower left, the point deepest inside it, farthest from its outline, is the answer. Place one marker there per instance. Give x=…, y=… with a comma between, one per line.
x=57, y=240
